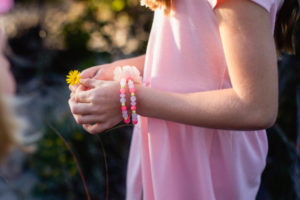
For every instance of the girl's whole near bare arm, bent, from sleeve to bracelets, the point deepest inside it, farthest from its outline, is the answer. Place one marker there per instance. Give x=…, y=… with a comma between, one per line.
x=251, y=57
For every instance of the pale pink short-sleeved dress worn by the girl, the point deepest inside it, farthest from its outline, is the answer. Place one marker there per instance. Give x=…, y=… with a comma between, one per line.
x=173, y=161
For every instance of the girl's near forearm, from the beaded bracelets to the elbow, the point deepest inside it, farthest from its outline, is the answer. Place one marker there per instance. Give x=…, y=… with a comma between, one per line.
x=221, y=109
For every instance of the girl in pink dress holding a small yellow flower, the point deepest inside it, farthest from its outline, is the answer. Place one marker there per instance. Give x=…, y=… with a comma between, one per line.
x=209, y=90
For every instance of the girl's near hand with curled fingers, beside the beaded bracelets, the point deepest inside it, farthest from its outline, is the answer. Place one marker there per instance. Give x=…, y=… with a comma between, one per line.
x=98, y=108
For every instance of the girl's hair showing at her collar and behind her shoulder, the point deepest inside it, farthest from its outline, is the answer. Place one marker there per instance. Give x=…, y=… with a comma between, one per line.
x=285, y=23
